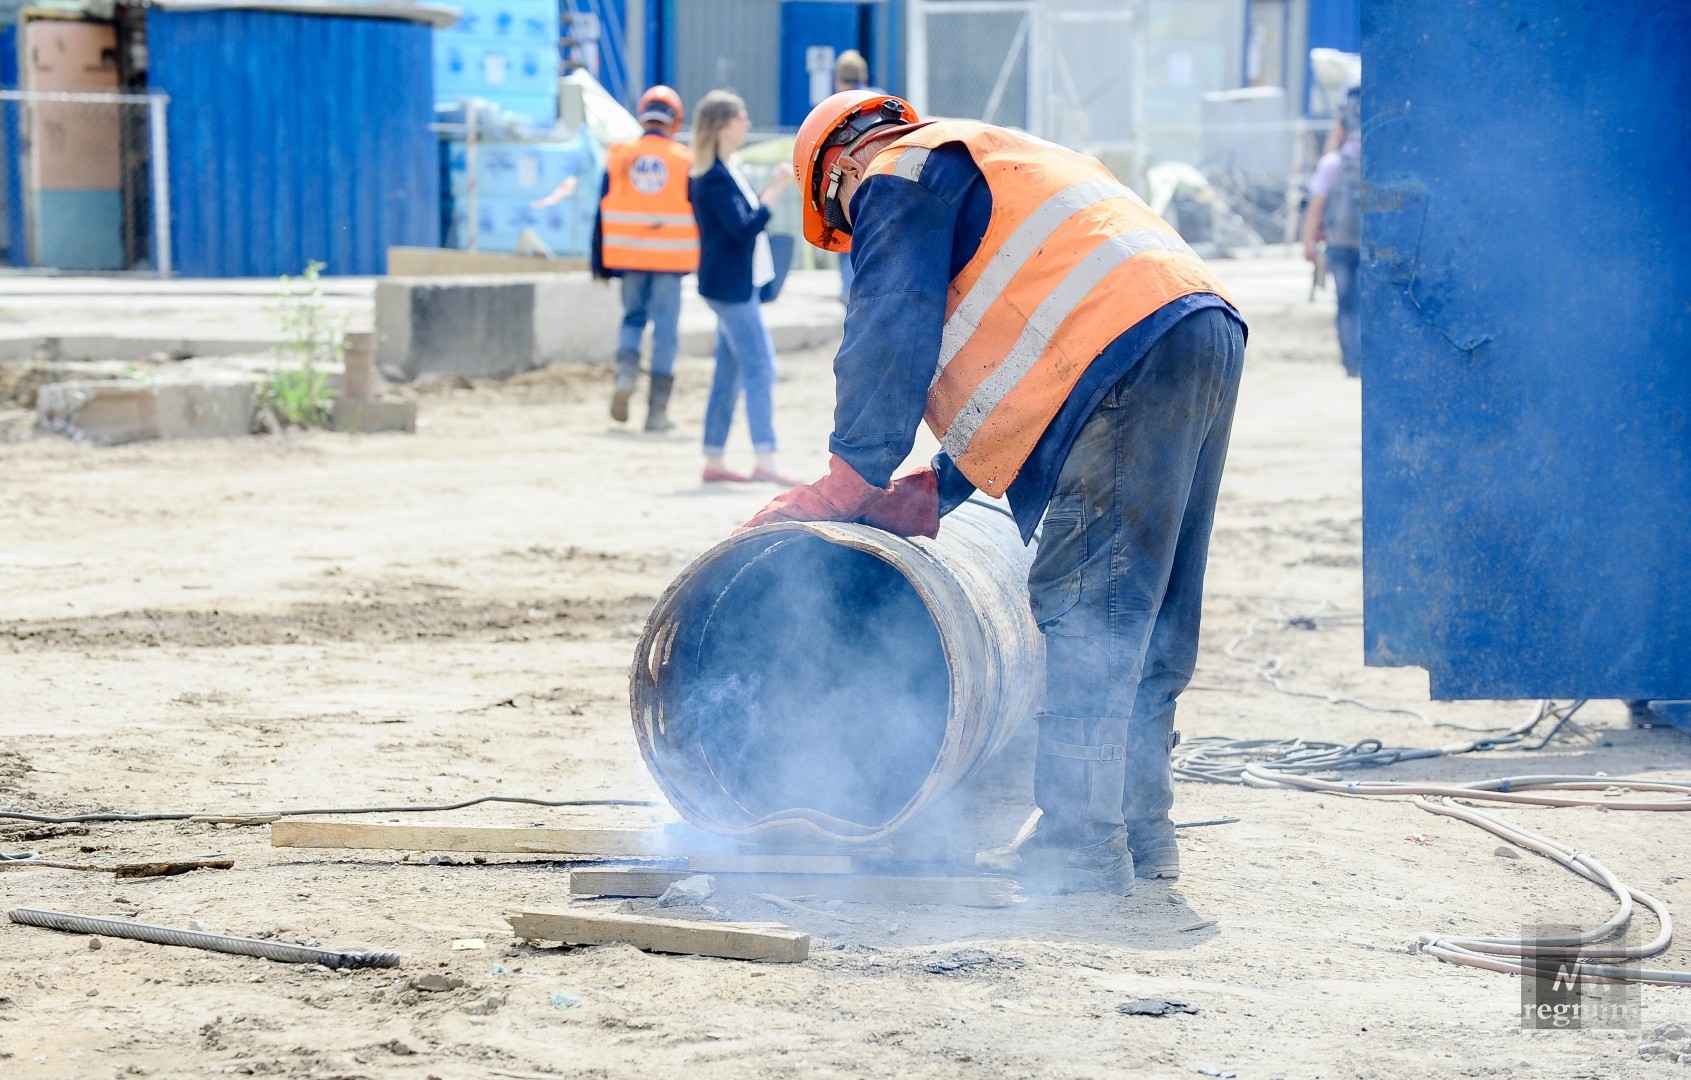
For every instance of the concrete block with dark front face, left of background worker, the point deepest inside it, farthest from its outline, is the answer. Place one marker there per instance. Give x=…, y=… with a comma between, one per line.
x=491, y=325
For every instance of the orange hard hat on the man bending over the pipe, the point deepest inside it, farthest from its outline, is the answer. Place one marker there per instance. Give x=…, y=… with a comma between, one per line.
x=831, y=129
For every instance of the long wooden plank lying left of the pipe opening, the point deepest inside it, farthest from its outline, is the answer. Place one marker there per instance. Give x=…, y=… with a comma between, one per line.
x=469, y=839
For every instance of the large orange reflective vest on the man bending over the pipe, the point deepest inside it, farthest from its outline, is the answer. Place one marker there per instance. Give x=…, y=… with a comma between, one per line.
x=1071, y=261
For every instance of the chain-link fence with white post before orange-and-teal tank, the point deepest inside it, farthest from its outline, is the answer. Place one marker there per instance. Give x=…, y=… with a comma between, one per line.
x=85, y=182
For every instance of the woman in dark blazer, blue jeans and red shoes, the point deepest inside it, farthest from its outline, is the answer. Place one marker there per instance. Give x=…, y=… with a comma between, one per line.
x=733, y=266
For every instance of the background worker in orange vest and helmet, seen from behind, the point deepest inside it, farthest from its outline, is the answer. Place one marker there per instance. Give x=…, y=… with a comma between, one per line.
x=647, y=236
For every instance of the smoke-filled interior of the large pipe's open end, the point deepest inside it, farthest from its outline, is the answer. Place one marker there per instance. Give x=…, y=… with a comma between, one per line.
x=816, y=682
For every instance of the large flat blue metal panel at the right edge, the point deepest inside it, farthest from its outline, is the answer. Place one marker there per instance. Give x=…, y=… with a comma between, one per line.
x=1528, y=347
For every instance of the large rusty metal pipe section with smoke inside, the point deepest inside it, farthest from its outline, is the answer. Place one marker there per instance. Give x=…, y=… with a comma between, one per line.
x=835, y=680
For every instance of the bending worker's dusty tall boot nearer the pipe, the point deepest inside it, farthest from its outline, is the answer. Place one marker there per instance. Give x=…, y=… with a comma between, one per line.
x=1071, y=844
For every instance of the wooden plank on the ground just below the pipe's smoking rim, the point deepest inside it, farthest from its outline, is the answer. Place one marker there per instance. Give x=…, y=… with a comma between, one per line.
x=855, y=888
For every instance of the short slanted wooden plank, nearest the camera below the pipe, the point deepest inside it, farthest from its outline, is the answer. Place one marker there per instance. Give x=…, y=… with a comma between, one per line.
x=731, y=941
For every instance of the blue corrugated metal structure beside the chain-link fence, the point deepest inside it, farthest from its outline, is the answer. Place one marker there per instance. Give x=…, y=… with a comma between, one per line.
x=295, y=138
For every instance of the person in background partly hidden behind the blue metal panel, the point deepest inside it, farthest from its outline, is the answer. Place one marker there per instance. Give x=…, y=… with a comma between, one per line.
x=1335, y=217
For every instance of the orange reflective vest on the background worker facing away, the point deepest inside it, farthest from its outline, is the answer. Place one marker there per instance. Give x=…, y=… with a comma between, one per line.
x=645, y=219
